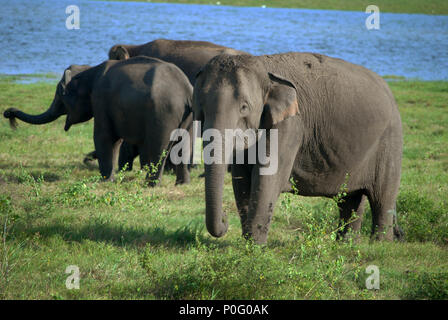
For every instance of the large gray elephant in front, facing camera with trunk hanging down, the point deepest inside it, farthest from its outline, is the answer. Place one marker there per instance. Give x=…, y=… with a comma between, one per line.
x=333, y=118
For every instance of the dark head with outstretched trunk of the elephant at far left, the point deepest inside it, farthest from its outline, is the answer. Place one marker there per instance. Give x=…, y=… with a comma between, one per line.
x=63, y=103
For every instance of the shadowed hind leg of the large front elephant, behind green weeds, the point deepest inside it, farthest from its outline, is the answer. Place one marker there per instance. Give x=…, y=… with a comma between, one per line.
x=351, y=210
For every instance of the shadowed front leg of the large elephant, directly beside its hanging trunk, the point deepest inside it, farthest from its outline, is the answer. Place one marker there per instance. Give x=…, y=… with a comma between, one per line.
x=241, y=181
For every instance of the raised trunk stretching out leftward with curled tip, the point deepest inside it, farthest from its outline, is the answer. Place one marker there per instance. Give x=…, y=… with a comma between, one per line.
x=55, y=111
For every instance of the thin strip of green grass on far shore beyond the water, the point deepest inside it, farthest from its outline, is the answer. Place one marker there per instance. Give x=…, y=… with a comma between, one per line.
x=398, y=6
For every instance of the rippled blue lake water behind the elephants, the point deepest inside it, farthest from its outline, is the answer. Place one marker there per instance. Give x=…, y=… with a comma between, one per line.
x=34, y=38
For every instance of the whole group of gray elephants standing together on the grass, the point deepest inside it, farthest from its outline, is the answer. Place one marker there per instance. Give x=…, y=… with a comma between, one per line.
x=335, y=124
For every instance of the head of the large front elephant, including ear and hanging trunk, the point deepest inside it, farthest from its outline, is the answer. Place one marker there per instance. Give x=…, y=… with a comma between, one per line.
x=237, y=92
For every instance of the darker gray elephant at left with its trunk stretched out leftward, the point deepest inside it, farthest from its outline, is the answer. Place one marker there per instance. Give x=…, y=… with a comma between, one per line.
x=125, y=98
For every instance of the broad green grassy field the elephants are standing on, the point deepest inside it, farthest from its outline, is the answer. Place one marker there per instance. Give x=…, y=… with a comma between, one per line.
x=134, y=242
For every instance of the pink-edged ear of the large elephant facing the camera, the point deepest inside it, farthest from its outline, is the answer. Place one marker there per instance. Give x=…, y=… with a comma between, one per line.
x=281, y=102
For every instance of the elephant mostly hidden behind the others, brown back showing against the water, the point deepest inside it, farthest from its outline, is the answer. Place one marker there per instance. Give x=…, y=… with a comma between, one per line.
x=188, y=55
